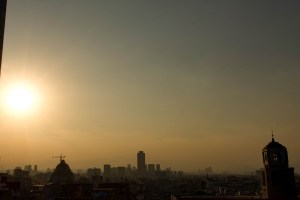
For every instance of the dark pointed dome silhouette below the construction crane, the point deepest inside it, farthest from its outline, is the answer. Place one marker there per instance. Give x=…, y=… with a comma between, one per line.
x=62, y=173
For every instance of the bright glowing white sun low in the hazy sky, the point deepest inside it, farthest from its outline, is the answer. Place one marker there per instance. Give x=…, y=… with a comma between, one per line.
x=20, y=98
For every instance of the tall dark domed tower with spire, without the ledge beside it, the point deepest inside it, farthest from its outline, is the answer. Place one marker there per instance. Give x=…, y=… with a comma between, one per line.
x=278, y=180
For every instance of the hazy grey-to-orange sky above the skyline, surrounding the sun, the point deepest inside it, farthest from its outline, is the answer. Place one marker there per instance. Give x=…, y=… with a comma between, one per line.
x=191, y=83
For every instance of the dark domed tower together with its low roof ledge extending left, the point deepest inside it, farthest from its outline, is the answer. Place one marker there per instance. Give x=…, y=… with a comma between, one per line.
x=277, y=178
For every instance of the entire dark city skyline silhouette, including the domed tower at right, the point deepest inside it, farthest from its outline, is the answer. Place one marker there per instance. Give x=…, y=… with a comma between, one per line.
x=148, y=181
